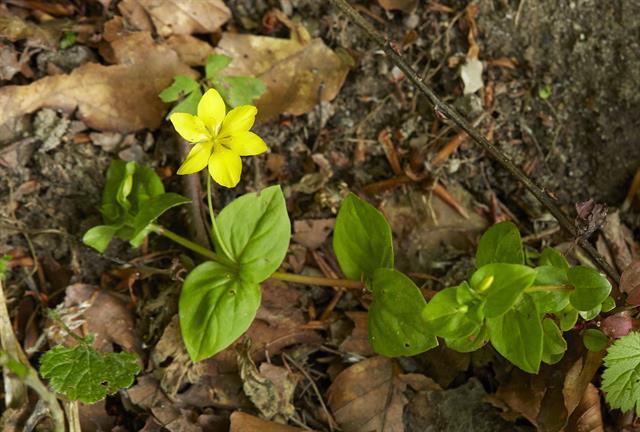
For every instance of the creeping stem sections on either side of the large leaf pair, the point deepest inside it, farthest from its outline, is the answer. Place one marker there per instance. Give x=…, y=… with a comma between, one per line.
x=287, y=277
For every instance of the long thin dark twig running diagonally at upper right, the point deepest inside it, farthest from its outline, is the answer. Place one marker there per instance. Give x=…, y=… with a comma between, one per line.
x=448, y=111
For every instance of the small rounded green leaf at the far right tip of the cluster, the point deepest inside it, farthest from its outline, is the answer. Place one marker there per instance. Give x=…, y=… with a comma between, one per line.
x=591, y=287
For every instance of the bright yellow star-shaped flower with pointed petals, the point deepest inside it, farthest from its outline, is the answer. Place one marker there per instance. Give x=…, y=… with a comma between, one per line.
x=220, y=138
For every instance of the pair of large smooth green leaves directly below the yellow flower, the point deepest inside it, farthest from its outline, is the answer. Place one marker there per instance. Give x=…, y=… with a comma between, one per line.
x=218, y=302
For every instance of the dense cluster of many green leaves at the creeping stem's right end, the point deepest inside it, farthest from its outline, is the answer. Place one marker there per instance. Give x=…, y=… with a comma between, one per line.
x=521, y=310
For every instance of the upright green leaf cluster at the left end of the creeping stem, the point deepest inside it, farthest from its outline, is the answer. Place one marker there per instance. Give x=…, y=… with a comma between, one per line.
x=132, y=199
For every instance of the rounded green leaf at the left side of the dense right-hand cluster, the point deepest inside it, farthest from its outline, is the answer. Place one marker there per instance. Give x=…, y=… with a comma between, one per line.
x=447, y=317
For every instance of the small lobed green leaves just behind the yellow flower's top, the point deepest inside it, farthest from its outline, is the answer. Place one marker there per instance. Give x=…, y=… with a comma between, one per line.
x=235, y=90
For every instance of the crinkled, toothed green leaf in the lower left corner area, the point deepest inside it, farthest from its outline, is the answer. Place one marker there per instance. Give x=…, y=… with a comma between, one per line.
x=84, y=374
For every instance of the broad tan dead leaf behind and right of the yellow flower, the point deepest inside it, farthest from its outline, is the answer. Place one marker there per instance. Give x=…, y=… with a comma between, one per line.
x=298, y=76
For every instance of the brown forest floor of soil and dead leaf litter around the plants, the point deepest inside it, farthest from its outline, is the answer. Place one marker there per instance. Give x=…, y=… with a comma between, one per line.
x=558, y=93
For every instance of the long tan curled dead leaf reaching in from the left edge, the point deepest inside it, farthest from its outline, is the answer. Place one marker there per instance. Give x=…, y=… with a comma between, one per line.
x=121, y=98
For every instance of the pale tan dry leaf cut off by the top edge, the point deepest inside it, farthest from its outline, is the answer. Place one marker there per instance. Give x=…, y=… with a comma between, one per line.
x=179, y=16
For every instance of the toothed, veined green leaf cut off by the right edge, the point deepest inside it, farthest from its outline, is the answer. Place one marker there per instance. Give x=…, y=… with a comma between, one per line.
x=621, y=377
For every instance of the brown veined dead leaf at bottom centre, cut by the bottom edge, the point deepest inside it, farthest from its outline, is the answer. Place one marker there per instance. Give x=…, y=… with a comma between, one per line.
x=369, y=396
